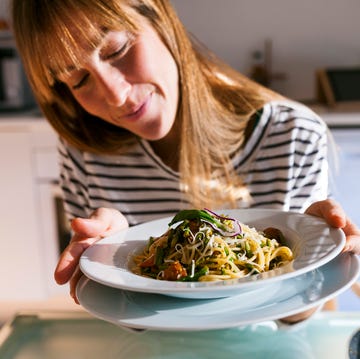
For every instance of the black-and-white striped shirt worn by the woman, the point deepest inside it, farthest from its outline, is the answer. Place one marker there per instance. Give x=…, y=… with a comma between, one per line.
x=284, y=164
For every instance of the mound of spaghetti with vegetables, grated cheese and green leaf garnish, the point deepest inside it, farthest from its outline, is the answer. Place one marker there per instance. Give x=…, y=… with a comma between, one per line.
x=201, y=245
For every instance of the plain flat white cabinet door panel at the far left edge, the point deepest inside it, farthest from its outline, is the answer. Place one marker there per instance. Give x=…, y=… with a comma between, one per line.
x=19, y=248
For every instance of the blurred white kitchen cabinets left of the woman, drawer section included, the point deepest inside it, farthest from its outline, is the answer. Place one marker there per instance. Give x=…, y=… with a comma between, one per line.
x=28, y=162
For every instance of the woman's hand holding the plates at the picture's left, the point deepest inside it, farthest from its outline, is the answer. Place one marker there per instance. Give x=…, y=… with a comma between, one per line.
x=86, y=231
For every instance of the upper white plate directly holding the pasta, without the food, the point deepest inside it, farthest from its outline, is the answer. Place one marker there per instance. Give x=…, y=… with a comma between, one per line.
x=313, y=242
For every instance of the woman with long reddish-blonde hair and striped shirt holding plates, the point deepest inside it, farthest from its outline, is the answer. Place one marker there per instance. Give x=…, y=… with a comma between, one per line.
x=150, y=122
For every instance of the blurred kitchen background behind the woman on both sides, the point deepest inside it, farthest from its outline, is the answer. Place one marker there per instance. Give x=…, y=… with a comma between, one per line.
x=282, y=43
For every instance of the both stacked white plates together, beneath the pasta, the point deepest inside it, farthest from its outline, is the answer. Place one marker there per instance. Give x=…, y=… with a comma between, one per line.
x=111, y=291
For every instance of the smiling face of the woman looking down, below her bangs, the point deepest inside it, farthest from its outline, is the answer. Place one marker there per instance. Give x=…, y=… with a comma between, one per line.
x=131, y=82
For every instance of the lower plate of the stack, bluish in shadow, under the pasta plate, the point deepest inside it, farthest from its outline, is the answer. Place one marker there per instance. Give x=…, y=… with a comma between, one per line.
x=159, y=312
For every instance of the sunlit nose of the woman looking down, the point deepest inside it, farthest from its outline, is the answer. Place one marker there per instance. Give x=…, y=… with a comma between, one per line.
x=113, y=87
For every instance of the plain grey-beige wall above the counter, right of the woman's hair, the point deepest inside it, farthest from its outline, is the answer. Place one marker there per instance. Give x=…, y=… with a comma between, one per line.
x=306, y=35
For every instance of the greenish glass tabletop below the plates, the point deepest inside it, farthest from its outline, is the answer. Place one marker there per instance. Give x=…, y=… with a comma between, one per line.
x=69, y=335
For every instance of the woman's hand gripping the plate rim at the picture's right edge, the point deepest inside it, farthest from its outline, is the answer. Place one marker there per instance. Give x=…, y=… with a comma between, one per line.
x=335, y=216
